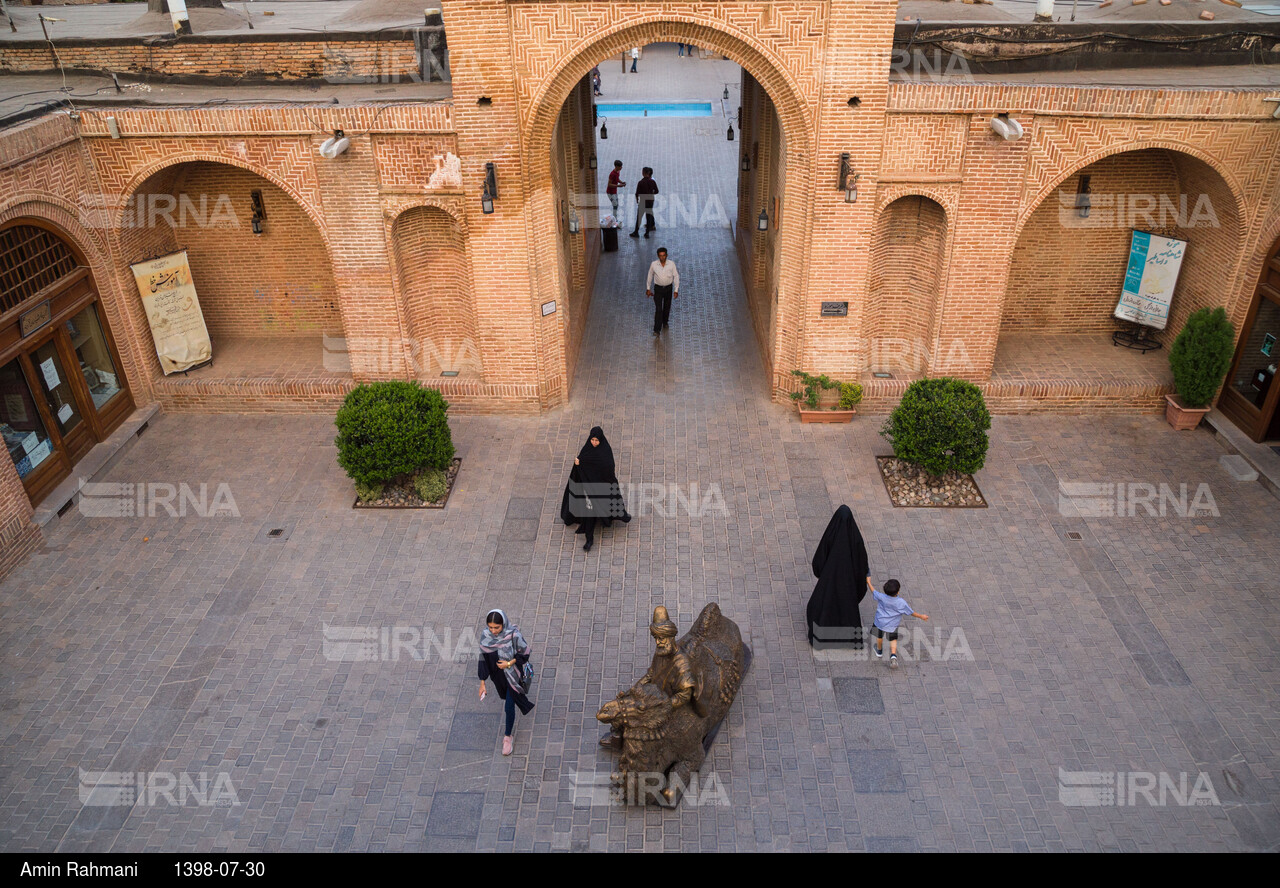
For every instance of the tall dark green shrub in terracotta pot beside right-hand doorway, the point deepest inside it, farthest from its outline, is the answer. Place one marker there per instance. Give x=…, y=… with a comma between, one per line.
x=1200, y=360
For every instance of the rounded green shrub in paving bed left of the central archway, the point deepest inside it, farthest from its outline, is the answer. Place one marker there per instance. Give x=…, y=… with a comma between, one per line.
x=392, y=429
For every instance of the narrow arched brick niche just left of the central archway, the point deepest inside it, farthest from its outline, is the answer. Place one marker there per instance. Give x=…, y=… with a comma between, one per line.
x=436, y=290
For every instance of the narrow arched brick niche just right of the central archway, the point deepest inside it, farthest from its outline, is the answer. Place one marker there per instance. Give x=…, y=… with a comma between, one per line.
x=908, y=269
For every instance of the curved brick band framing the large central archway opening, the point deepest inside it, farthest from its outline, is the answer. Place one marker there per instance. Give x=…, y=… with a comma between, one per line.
x=794, y=113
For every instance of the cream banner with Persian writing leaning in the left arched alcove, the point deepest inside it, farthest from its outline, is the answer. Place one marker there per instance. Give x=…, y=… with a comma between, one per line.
x=173, y=312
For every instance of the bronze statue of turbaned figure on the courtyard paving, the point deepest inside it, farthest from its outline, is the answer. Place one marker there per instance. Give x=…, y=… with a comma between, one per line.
x=666, y=724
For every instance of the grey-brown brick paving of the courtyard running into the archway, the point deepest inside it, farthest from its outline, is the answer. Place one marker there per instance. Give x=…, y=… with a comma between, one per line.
x=199, y=646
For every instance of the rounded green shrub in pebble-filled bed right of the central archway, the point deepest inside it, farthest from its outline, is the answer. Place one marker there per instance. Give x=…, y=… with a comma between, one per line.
x=940, y=425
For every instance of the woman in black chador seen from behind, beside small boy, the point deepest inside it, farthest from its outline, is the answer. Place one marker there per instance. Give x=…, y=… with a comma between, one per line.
x=844, y=579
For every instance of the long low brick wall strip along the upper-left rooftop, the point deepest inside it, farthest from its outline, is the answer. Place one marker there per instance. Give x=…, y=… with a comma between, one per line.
x=337, y=62
